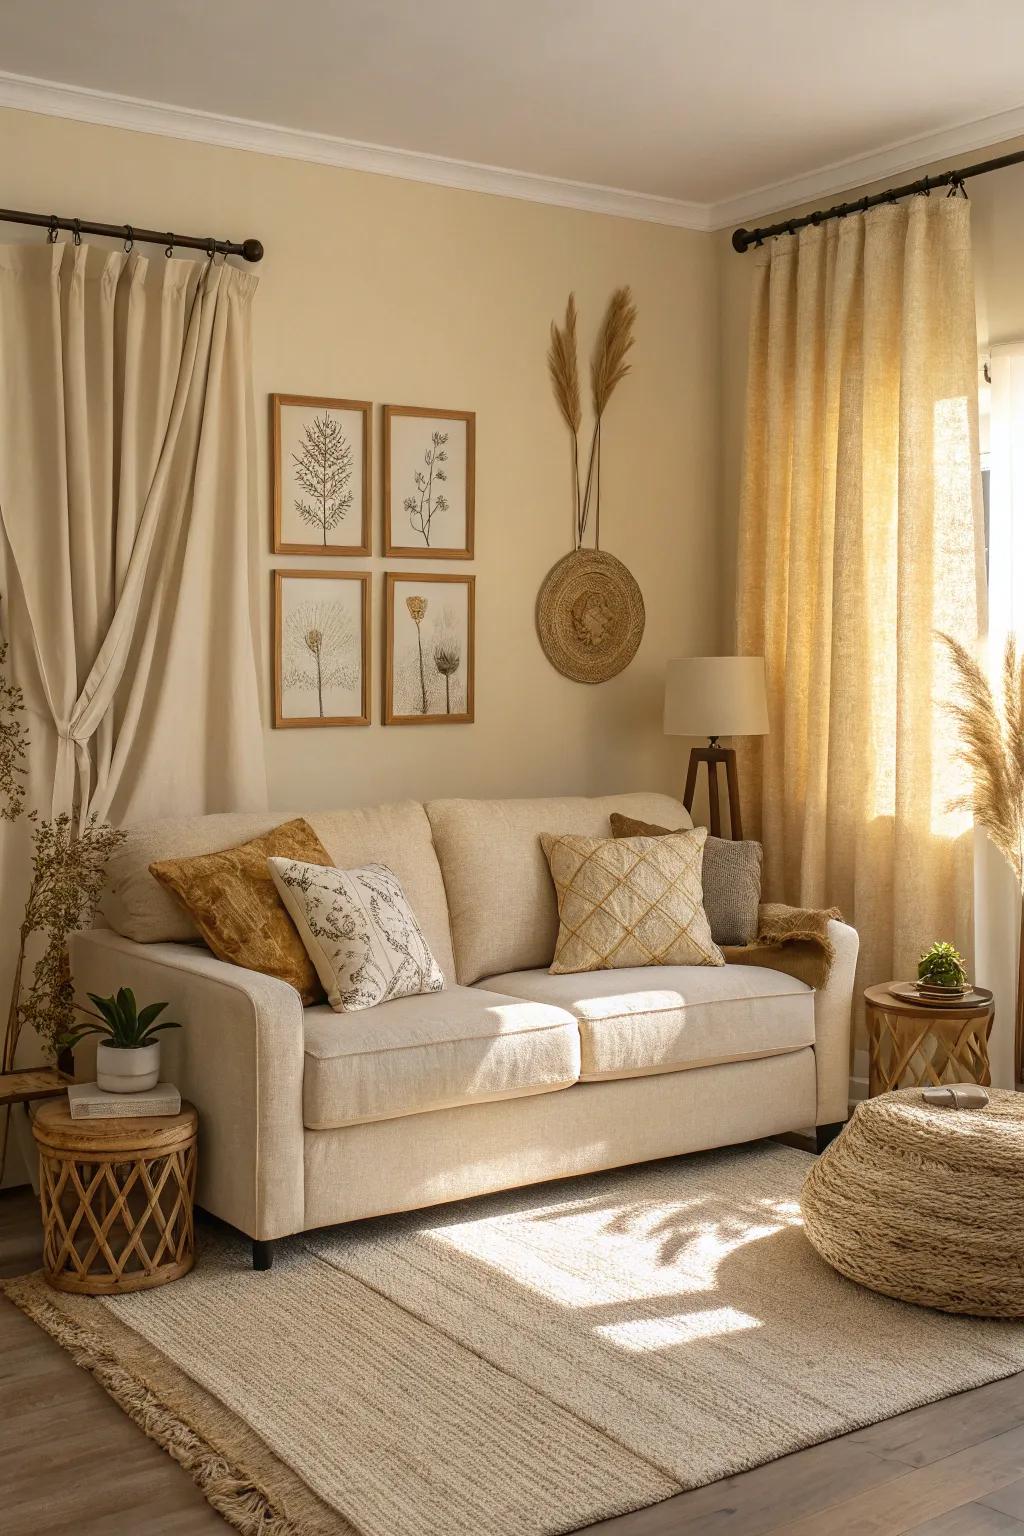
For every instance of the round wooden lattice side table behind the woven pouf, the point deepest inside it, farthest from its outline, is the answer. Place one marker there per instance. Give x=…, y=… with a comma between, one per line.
x=911, y=1045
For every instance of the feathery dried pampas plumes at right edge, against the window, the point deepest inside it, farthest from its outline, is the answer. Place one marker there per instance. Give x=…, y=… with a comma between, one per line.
x=993, y=747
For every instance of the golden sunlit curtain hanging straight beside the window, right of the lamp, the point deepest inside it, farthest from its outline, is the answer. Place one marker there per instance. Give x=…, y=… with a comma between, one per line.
x=860, y=537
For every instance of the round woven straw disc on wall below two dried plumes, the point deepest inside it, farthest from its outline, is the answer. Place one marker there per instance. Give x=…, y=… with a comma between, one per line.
x=590, y=617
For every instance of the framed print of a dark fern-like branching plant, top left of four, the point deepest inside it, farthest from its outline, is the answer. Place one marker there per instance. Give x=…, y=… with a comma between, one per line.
x=322, y=475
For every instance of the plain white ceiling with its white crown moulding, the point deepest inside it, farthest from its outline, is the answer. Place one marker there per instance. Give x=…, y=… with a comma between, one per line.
x=699, y=110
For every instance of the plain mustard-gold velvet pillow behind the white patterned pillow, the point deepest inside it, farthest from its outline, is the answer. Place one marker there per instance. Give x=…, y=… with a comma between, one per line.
x=234, y=902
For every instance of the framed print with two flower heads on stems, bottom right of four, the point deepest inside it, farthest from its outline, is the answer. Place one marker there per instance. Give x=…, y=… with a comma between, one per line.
x=429, y=641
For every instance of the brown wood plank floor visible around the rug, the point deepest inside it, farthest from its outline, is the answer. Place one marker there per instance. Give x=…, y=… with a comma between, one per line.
x=73, y=1465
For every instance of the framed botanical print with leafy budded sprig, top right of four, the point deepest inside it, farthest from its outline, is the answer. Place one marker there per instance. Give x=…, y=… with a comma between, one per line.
x=429, y=483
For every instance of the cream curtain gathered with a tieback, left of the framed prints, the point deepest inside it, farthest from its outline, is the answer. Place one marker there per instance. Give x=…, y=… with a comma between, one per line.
x=127, y=486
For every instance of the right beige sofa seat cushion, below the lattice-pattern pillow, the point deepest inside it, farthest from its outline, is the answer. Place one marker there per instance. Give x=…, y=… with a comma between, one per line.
x=667, y=1019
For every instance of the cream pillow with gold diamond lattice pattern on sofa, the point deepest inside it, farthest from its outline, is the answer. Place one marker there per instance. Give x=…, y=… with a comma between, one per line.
x=630, y=901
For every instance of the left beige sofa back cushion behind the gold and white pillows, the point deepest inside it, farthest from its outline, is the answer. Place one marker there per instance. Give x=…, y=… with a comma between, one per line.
x=136, y=905
